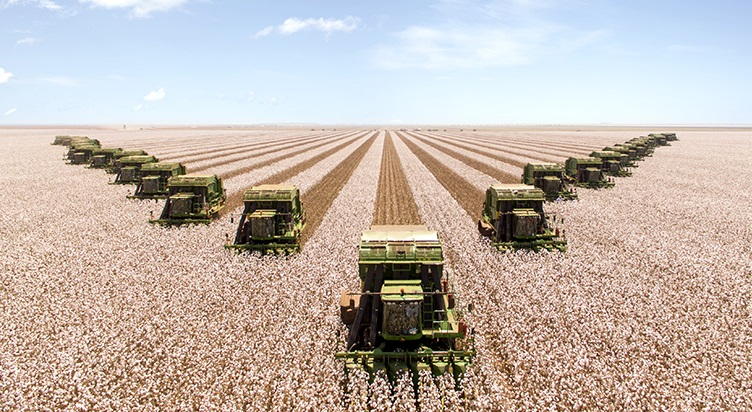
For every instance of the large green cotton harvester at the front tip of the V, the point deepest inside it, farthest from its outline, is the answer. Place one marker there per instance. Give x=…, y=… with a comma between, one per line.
x=404, y=318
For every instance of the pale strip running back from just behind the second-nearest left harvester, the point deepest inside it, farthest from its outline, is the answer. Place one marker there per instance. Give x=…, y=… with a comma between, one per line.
x=257, y=158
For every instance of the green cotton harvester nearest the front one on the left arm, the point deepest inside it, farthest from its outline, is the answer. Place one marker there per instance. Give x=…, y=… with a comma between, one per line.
x=272, y=220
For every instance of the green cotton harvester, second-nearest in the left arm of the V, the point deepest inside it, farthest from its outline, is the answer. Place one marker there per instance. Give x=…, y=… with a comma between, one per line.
x=192, y=199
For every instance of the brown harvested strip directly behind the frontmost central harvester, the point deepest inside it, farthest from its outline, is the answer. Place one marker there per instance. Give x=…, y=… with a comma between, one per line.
x=395, y=204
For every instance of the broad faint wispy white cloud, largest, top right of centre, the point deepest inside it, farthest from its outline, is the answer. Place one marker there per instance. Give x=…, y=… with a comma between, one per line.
x=481, y=34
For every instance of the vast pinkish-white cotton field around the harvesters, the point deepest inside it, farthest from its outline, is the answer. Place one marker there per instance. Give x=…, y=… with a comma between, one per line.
x=649, y=309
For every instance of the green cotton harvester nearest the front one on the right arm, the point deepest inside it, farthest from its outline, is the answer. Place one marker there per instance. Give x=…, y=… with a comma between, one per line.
x=513, y=218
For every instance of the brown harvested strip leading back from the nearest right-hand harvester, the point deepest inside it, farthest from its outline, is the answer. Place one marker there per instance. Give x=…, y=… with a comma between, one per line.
x=467, y=196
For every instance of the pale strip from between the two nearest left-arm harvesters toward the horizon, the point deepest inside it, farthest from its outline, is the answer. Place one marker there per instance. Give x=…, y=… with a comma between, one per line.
x=280, y=171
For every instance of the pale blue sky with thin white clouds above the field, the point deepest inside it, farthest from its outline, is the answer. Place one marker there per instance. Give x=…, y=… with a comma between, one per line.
x=386, y=62
